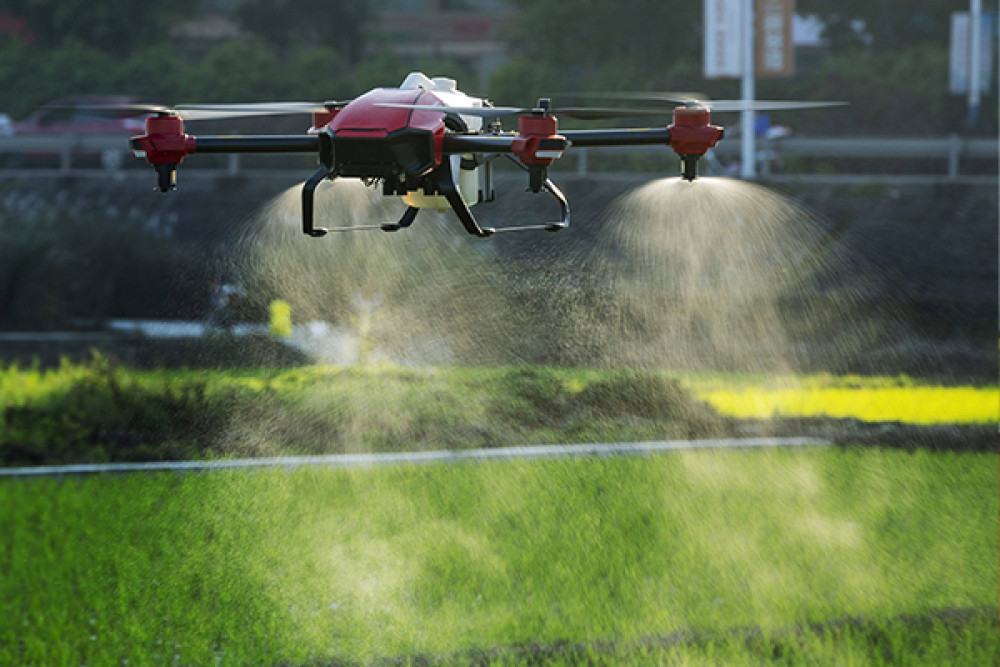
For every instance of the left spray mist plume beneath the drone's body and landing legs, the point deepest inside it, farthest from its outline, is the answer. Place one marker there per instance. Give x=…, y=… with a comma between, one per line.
x=410, y=296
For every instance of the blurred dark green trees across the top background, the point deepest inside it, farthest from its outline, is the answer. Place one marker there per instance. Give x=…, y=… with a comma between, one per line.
x=888, y=58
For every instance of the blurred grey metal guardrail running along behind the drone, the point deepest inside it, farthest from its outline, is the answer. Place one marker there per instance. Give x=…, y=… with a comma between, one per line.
x=113, y=151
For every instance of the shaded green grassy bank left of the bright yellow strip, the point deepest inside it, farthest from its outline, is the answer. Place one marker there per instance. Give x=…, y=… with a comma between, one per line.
x=105, y=412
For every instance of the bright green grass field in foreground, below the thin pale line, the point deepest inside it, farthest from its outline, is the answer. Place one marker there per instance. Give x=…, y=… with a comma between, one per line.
x=814, y=557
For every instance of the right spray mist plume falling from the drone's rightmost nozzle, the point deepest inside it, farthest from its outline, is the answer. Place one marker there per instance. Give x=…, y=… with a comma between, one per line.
x=724, y=274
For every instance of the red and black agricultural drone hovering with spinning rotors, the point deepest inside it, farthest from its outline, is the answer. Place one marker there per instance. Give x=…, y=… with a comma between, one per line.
x=431, y=144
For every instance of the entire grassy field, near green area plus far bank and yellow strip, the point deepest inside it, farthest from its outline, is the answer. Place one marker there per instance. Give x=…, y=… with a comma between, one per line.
x=837, y=555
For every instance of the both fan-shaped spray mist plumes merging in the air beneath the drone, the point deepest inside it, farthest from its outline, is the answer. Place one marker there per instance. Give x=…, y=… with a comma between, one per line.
x=714, y=274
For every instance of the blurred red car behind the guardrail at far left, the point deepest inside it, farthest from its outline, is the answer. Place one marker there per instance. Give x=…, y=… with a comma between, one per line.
x=83, y=115
